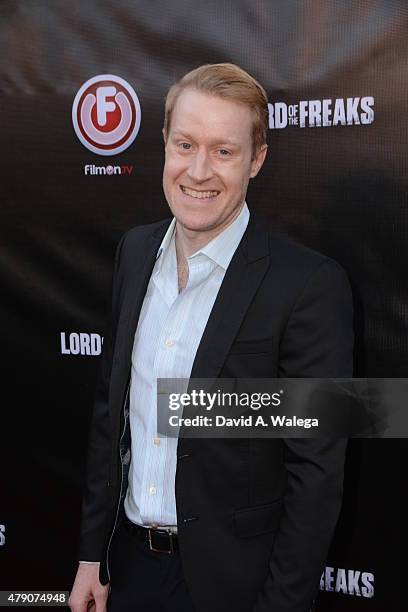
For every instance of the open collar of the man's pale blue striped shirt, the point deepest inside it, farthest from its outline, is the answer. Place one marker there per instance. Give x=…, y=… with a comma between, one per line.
x=221, y=248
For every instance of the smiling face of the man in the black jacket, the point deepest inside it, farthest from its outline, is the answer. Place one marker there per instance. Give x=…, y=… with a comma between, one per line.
x=208, y=160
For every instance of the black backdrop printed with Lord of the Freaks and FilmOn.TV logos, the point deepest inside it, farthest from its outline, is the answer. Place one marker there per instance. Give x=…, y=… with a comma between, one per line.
x=82, y=88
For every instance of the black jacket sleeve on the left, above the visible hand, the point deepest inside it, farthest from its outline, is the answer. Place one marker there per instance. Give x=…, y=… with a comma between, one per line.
x=94, y=503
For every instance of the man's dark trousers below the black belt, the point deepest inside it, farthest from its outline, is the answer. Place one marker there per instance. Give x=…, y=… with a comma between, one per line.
x=143, y=580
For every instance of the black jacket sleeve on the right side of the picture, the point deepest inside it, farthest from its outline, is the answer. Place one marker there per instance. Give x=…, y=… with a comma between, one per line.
x=318, y=342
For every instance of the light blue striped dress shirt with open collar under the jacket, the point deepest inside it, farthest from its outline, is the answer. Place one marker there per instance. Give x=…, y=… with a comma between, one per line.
x=169, y=331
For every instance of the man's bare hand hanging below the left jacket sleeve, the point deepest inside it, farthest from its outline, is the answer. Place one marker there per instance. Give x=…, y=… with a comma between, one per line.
x=88, y=594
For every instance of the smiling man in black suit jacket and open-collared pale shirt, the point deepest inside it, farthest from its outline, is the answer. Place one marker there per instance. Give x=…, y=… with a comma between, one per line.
x=211, y=524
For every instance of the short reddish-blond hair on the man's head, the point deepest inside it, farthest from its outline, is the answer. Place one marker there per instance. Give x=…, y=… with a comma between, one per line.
x=229, y=82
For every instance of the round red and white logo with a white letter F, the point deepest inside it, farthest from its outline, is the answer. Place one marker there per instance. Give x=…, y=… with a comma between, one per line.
x=106, y=114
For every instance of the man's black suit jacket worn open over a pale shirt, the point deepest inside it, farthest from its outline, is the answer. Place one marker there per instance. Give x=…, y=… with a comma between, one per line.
x=255, y=516
